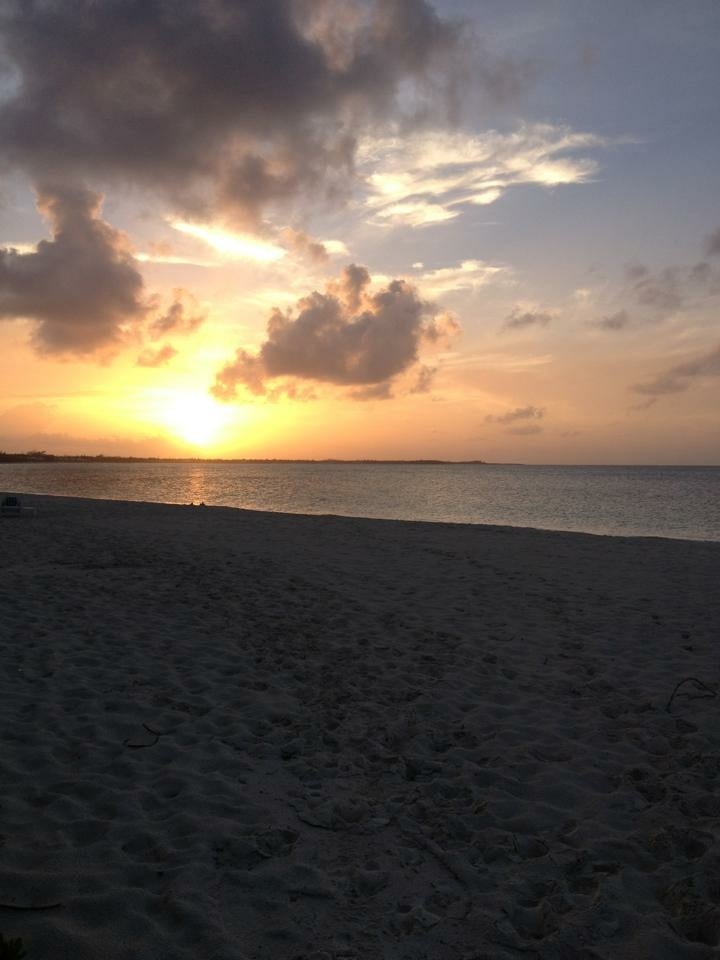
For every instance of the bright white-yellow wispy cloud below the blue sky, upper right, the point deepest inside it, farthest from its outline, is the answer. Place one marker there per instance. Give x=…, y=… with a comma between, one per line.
x=426, y=178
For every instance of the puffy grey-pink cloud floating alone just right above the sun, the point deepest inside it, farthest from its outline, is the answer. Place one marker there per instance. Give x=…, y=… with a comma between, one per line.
x=351, y=335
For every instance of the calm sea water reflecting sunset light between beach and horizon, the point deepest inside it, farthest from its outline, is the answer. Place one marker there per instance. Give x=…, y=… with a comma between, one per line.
x=681, y=502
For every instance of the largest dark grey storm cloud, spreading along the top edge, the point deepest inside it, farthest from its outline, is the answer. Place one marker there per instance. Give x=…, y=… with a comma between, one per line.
x=230, y=103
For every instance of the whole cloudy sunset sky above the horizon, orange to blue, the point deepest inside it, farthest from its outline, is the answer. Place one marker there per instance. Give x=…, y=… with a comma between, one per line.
x=361, y=229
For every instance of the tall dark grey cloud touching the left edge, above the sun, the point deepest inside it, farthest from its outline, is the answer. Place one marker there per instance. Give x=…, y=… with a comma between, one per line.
x=82, y=287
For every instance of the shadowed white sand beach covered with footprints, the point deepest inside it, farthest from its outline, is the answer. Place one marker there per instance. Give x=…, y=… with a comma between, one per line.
x=240, y=735
